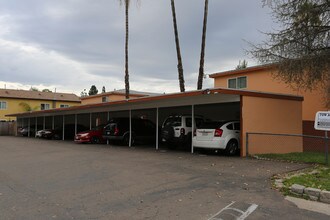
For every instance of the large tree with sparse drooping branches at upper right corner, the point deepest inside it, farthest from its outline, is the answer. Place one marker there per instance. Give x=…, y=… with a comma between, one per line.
x=301, y=49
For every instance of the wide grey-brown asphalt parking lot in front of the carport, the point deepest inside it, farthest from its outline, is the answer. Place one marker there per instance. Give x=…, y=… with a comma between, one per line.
x=42, y=179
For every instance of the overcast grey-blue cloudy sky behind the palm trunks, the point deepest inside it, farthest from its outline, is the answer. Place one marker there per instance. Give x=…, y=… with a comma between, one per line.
x=73, y=44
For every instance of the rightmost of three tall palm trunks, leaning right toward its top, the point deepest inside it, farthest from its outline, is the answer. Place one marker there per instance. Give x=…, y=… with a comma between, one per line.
x=201, y=64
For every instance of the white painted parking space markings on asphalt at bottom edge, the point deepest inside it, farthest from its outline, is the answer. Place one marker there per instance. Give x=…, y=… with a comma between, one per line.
x=235, y=212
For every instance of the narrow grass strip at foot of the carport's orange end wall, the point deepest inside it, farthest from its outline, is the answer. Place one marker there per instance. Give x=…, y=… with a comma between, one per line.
x=306, y=157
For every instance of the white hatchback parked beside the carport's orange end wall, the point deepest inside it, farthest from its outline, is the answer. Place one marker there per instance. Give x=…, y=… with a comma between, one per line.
x=224, y=135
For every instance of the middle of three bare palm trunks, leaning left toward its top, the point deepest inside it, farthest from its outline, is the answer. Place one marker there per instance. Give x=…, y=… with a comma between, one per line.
x=180, y=67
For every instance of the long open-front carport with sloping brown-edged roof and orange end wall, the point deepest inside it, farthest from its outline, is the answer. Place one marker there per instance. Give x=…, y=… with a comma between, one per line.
x=258, y=112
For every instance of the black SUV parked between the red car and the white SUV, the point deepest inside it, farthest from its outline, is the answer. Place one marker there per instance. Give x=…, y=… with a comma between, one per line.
x=117, y=129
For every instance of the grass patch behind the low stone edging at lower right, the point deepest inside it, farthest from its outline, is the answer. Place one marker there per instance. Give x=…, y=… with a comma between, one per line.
x=319, y=178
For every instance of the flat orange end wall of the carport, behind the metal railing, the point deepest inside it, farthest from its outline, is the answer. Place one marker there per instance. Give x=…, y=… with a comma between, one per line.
x=276, y=116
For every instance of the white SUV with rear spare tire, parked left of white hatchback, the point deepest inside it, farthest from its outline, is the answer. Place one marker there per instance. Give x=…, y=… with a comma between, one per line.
x=177, y=129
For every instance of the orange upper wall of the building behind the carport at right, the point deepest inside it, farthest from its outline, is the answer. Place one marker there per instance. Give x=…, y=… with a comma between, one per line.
x=263, y=80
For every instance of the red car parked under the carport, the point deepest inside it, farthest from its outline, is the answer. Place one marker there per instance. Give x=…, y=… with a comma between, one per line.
x=93, y=136
